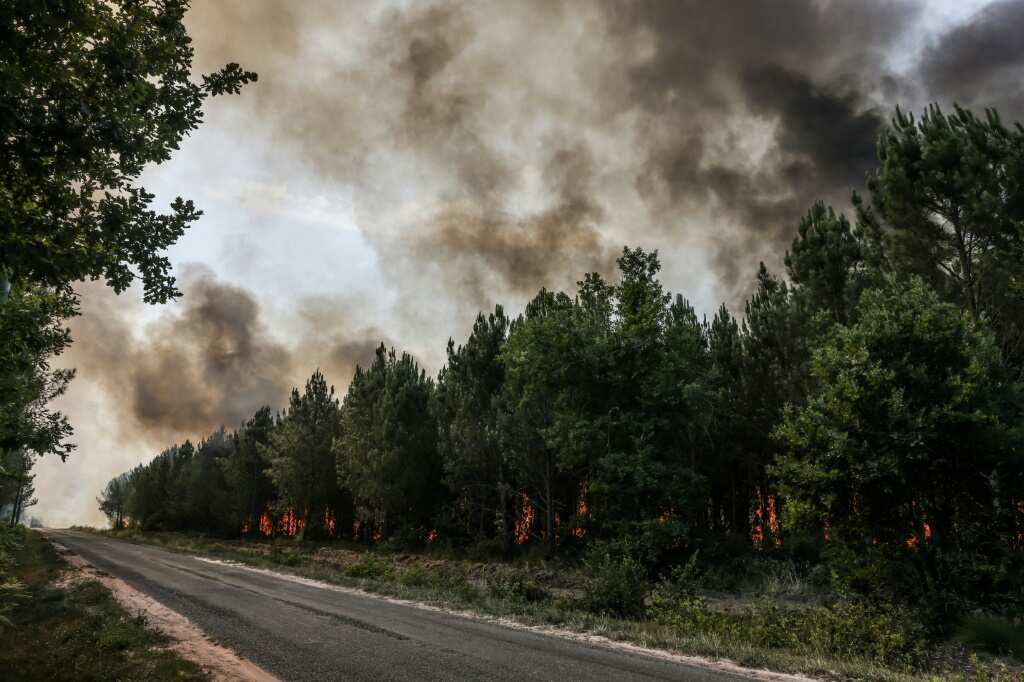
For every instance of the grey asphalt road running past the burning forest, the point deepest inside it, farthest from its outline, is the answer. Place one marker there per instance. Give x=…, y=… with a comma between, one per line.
x=305, y=632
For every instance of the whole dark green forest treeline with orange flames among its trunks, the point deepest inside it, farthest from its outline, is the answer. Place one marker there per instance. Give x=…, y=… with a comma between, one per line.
x=866, y=409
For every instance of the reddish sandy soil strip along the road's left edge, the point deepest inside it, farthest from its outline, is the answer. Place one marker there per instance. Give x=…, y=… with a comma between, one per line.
x=189, y=642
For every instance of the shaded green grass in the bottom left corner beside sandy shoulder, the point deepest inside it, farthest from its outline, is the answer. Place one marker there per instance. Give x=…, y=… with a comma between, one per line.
x=80, y=633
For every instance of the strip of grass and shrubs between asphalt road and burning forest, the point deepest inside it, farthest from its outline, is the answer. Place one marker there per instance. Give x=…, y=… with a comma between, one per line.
x=767, y=613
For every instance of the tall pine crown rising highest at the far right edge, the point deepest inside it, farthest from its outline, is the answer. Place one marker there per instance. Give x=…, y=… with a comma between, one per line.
x=948, y=202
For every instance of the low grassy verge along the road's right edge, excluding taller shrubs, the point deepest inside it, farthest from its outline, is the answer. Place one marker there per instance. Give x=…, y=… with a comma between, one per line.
x=557, y=595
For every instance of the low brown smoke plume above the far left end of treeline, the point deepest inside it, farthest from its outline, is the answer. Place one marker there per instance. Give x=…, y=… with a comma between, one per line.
x=207, y=362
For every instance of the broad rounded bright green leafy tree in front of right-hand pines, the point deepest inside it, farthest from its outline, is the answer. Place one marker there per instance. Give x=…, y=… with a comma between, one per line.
x=905, y=430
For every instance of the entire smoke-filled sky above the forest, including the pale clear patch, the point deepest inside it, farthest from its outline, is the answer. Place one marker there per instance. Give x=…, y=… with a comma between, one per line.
x=401, y=166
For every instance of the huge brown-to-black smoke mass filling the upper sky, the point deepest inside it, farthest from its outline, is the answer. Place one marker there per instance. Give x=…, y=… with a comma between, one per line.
x=681, y=119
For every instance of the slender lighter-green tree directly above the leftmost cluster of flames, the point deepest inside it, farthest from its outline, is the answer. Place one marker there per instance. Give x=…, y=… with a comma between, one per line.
x=303, y=464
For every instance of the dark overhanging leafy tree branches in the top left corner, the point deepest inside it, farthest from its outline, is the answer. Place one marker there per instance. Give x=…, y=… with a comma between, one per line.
x=94, y=92
